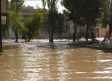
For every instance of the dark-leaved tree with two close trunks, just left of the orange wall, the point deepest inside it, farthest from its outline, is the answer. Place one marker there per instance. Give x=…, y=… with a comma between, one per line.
x=92, y=11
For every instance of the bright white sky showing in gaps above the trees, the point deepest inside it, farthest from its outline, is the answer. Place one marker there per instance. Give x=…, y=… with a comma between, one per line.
x=39, y=3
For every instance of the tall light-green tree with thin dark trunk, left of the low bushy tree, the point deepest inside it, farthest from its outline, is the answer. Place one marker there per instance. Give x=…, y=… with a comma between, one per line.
x=15, y=7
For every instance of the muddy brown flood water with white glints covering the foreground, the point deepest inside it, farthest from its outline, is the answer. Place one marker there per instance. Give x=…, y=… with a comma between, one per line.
x=58, y=61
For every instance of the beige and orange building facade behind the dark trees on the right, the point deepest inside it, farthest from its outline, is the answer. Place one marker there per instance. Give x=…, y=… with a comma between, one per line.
x=81, y=31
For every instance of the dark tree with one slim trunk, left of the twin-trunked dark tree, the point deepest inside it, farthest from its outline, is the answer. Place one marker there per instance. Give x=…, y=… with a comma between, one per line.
x=74, y=8
